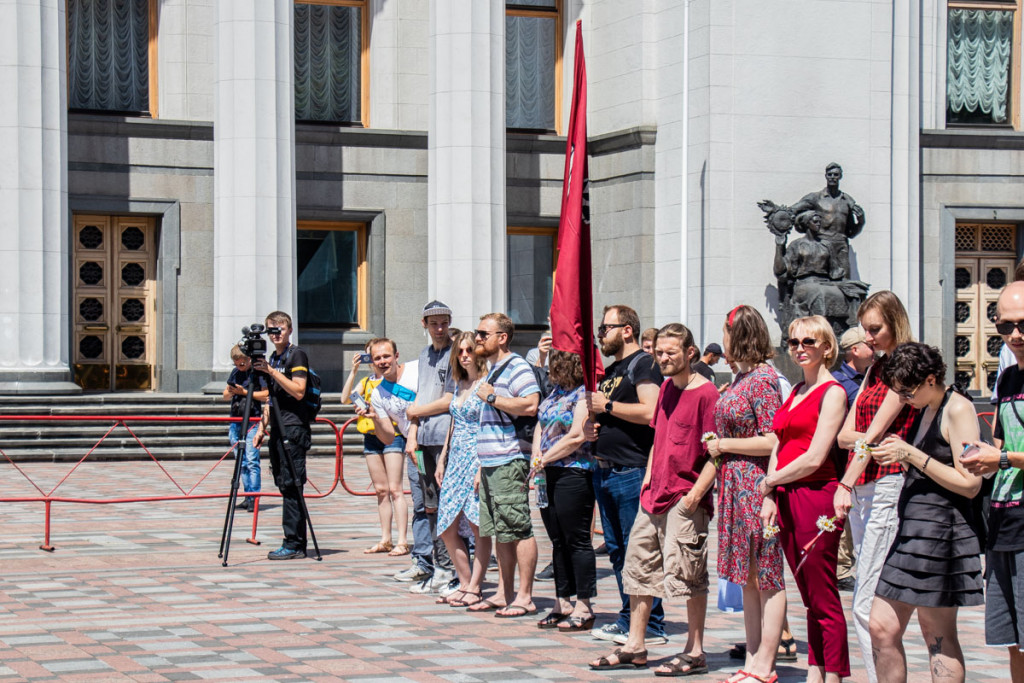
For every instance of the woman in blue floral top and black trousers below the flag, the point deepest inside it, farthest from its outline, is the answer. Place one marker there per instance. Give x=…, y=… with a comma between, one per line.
x=561, y=449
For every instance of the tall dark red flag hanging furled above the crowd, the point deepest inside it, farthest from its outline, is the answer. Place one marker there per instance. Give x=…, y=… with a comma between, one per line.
x=573, y=303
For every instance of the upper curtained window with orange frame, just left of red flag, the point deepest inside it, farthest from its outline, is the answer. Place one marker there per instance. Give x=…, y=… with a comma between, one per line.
x=533, y=62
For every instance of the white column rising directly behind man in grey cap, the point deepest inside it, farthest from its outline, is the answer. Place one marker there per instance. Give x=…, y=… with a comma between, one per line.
x=466, y=158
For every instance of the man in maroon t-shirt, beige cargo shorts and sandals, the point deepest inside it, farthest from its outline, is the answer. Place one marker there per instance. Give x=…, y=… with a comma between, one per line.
x=668, y=548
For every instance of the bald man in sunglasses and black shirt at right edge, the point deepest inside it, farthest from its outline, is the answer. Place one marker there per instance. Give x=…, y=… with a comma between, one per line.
x=1005, y=557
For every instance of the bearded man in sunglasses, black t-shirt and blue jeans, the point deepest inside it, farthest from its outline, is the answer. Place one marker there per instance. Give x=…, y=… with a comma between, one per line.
x=624, y=408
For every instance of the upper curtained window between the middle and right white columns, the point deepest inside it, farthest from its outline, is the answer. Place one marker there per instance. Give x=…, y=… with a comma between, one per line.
x=329, y=61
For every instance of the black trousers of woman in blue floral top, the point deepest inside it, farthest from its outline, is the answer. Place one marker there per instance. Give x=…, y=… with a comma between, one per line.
x=568, y=519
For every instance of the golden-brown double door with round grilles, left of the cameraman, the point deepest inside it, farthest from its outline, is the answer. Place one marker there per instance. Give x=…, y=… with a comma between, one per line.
x=114, y=303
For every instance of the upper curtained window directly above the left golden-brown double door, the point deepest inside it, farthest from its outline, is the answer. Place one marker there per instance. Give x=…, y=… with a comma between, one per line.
x=109, y=56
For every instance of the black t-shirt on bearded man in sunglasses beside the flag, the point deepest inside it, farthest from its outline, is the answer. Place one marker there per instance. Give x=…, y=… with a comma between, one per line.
x=619, y=442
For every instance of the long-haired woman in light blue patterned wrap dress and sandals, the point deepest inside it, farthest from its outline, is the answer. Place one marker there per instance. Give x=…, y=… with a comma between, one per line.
x=458, y=475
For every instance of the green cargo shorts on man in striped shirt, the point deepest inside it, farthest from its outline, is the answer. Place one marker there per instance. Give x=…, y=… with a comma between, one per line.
x=505, y=502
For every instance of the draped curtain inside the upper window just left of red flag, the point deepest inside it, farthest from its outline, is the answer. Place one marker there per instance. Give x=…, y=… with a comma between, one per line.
x=530, y=73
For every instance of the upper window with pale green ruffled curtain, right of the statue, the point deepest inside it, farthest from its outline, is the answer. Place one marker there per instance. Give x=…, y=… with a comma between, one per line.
x=980, y=68
